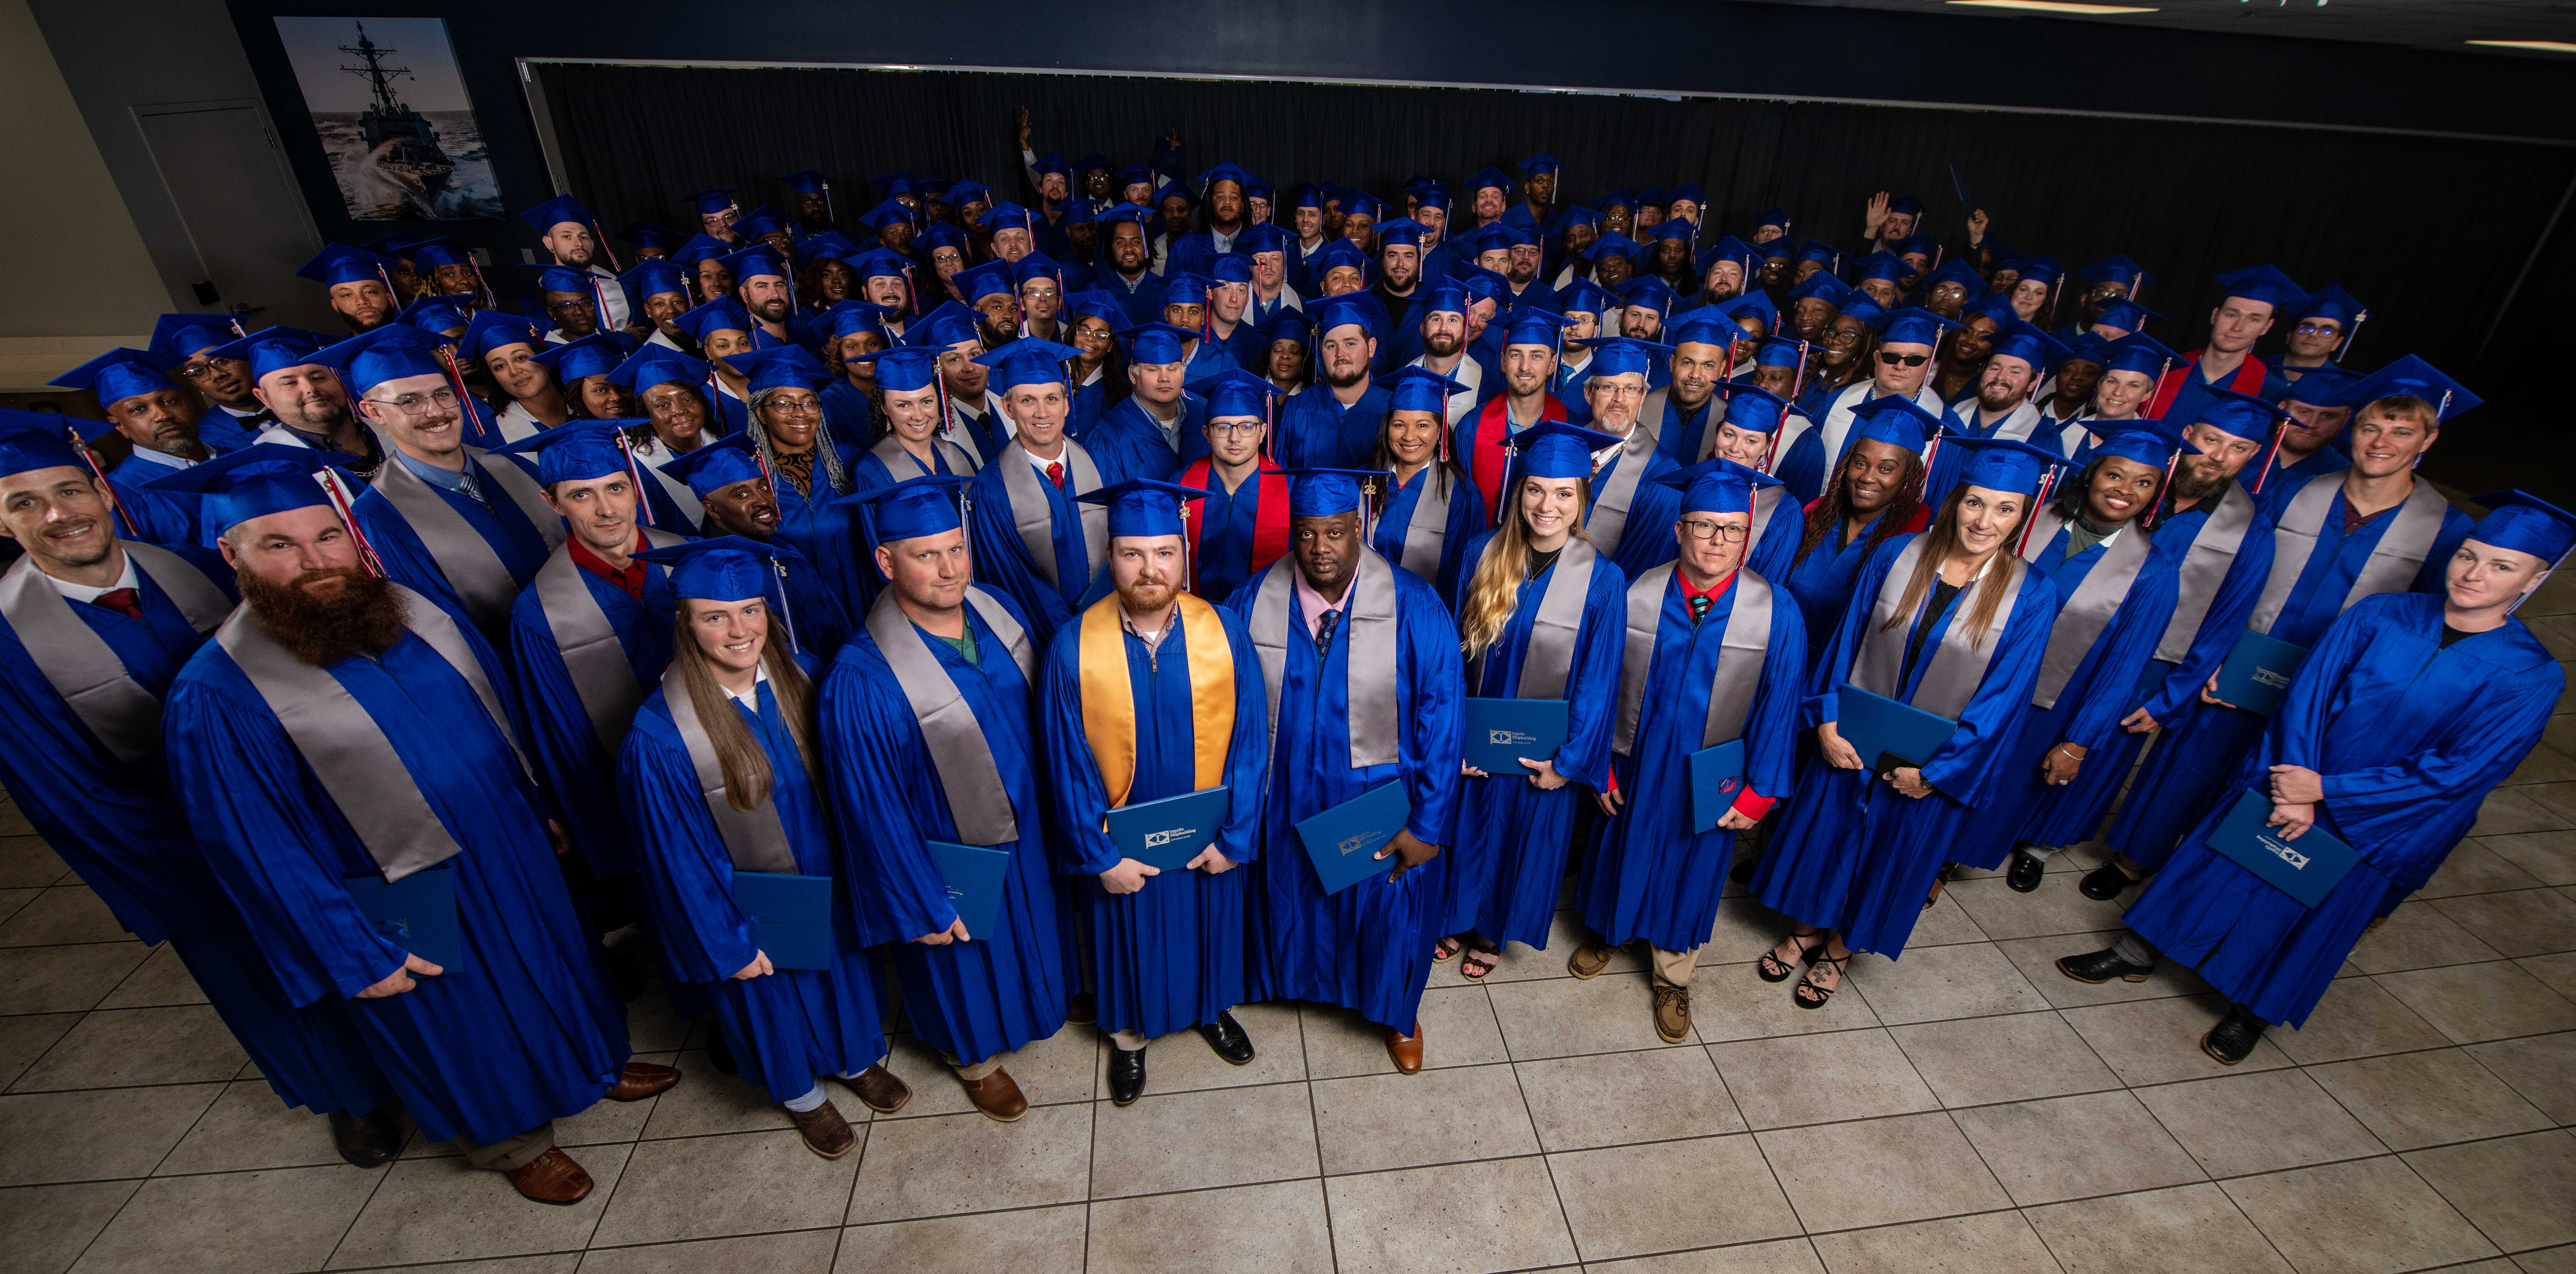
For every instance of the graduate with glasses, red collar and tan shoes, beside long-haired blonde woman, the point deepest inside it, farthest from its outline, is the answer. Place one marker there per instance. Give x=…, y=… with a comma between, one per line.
x=1712, y=654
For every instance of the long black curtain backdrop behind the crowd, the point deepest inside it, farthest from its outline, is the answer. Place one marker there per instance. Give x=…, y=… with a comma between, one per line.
x=2430, y=233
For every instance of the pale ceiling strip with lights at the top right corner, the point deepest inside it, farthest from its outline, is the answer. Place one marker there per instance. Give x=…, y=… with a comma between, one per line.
x=2441, y=24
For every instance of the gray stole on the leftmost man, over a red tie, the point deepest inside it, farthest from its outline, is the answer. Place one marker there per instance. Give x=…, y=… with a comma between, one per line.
x=84, y=667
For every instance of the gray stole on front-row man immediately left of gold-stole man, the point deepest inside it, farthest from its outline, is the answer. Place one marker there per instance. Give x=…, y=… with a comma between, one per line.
x=978, y=801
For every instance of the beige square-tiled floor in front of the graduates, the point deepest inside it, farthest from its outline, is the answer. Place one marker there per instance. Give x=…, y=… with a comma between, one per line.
x=1962, y=1110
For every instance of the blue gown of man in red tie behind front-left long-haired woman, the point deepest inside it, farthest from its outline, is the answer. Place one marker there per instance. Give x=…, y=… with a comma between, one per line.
x=568, y=749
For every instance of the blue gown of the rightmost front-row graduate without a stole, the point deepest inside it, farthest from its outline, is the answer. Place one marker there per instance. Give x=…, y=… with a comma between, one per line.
x=2410, y=739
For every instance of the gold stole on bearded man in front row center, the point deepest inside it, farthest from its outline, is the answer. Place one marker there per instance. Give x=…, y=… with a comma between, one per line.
x=1109, y=700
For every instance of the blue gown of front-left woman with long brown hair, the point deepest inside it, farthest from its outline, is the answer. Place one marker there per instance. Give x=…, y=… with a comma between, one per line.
x=784, y=1028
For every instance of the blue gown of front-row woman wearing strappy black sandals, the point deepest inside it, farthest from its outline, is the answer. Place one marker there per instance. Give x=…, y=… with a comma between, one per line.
x=1853, y=852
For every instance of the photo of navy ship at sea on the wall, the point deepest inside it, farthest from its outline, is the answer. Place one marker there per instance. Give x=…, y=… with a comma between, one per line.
x=393, y=117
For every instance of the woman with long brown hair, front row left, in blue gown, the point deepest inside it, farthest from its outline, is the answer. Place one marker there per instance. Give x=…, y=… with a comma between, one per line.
x=723, y=775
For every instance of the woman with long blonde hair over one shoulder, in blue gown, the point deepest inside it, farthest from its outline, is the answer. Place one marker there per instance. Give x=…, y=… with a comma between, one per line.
x=1542, y=618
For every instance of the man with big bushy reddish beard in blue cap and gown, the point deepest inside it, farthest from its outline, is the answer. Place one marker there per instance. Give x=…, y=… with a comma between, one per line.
x=344, y=729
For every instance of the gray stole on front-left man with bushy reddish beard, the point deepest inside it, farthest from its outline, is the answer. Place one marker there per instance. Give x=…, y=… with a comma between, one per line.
x=344, y=744
